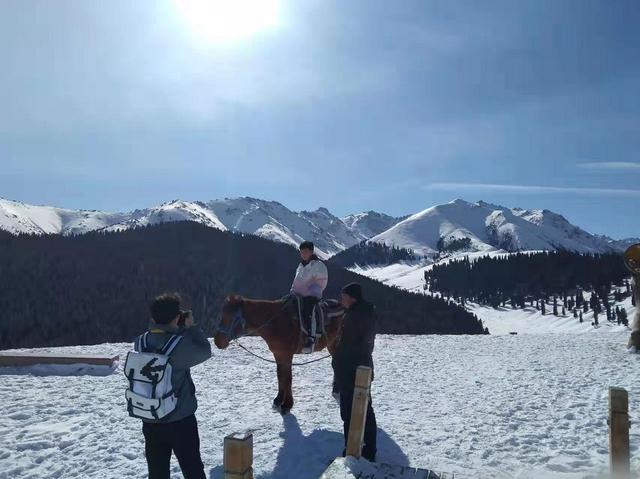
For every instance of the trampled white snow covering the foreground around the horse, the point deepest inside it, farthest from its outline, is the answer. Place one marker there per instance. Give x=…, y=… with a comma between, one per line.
x=495, y=406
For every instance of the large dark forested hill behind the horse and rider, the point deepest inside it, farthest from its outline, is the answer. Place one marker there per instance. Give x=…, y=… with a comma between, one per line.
x=96, y=287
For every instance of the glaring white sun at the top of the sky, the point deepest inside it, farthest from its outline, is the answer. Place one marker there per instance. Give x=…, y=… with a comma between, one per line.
x=221, y=21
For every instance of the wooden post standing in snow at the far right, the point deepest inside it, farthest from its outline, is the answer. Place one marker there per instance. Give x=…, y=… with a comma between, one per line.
x=619, y=433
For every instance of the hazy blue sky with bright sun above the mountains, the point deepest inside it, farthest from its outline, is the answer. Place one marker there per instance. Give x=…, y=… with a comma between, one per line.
x=354, y=106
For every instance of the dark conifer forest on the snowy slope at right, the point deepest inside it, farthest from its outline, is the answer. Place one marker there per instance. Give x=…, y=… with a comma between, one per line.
x=555, y=282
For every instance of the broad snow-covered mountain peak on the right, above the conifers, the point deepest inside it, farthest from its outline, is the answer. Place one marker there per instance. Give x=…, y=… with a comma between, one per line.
x=463, y=226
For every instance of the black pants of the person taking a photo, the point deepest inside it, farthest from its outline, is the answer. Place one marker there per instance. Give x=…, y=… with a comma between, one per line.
x=181, y=438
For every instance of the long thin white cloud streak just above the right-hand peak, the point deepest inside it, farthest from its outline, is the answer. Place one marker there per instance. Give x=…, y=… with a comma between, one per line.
x=530, y=189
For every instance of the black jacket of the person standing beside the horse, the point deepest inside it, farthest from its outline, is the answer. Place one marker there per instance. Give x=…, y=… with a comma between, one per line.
x=355, y=347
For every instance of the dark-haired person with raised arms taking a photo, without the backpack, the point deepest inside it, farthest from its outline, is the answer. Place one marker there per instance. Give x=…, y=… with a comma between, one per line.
x=178, y=432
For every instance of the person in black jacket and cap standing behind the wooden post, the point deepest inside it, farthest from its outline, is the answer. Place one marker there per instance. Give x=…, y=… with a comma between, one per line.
x=355, y=349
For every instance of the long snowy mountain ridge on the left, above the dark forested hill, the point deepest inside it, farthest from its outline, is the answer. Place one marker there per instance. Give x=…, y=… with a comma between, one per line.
x=268, y=219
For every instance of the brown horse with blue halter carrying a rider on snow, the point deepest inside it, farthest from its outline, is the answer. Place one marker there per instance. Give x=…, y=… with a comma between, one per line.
x=276, y=322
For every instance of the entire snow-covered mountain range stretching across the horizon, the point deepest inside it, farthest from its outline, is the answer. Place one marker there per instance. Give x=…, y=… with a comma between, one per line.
x=455, y=226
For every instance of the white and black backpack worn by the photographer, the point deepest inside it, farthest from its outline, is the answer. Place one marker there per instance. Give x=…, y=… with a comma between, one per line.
x=150, y=394
